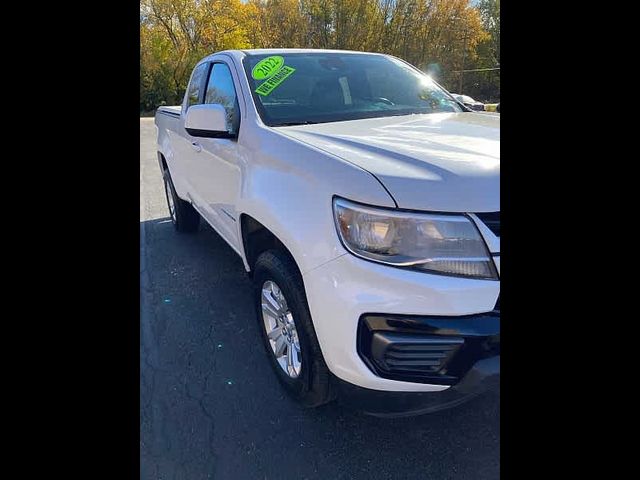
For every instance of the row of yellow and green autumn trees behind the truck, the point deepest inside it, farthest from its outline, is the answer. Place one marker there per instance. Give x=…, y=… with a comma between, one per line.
x=441, y=37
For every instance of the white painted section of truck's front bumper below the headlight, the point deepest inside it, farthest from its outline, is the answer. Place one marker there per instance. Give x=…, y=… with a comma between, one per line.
x=343, y=291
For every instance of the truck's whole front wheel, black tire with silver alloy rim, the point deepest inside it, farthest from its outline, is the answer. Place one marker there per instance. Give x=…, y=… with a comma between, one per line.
x=287, y=329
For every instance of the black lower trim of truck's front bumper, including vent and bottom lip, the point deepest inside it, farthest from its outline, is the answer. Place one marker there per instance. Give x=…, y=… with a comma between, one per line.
x=462, y=352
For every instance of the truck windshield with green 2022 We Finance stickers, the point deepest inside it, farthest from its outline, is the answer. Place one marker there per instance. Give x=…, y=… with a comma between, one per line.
x=299, y=88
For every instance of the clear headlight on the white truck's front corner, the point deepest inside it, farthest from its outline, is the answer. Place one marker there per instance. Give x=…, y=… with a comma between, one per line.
x=448, y=244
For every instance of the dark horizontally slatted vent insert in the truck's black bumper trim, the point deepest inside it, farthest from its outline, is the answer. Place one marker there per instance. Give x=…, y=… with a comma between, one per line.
x=409, y=355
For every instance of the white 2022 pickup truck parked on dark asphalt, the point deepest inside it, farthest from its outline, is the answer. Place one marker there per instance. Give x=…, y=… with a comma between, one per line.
x=364, y=201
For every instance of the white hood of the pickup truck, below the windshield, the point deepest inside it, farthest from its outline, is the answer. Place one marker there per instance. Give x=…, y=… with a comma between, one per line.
x=446, y=162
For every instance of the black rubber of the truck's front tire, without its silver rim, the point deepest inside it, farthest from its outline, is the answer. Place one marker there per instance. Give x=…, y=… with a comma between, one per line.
x=312, y=387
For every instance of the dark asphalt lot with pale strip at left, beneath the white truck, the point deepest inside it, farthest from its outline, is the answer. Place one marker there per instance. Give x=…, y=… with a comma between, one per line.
x=210, y=406
